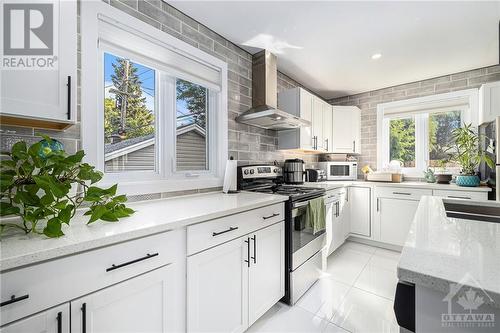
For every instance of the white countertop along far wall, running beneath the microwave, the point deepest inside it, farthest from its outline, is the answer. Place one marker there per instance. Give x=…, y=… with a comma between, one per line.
x=333, y=184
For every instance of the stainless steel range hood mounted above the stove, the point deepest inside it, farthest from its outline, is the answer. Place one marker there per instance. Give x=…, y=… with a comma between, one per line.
x=264, y=112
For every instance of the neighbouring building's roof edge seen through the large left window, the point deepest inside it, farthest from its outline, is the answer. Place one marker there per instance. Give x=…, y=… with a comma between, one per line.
x=128, y=146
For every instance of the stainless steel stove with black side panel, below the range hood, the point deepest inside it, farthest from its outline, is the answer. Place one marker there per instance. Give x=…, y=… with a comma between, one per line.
x=303, y=248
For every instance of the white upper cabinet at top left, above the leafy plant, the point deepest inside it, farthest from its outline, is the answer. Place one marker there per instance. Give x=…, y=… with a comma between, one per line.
x=45, y=96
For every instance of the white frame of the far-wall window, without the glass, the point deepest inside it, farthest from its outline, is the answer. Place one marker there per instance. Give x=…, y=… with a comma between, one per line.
x=433, y=103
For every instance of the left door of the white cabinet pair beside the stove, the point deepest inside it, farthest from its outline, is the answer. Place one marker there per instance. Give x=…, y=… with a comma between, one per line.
x=217, y=288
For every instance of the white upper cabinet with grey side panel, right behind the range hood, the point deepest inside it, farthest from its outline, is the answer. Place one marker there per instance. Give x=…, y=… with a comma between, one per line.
x=301, y=103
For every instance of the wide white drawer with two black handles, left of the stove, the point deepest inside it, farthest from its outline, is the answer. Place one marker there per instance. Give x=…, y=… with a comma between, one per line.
x=208, y=234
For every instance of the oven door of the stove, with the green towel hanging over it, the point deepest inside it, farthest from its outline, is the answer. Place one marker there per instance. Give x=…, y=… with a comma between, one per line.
x=305, y=243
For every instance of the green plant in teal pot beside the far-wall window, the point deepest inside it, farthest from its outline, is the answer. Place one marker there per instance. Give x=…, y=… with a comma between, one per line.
x=467, y=154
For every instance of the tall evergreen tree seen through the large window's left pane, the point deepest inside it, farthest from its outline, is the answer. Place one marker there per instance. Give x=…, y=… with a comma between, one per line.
x=139, y=121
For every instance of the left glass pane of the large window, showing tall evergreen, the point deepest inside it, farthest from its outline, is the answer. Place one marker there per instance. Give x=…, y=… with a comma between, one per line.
x=129, y=115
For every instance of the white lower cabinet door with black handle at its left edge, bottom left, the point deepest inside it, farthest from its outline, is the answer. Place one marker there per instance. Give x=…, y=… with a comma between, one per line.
x=145, y=303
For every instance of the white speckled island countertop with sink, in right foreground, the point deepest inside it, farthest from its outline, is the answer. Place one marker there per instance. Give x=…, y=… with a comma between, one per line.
x=441, y=250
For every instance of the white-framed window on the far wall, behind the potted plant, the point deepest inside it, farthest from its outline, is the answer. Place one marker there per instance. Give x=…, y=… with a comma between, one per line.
x=418, y=132
